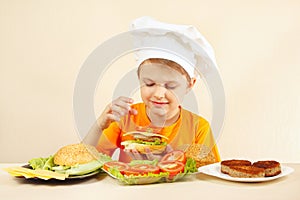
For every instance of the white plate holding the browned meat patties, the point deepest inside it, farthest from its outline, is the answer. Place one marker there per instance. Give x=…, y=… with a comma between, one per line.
x=215, y=170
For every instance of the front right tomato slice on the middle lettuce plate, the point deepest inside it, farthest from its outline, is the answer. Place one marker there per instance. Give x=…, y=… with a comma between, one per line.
x=171, y=166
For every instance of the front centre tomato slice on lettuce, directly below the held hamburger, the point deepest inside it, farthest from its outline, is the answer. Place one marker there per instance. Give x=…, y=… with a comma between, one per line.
x=142, y=169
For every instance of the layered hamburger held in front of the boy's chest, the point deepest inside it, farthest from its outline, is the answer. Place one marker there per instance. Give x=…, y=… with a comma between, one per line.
x=143, y=141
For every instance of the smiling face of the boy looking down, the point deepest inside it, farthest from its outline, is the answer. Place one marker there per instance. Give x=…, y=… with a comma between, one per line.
x=162, y=89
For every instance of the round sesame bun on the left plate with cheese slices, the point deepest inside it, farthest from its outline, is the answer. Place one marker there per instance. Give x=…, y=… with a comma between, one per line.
x=73, y=154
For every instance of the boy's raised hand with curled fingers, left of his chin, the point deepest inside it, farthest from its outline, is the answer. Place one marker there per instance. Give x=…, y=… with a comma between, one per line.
x=115, y=110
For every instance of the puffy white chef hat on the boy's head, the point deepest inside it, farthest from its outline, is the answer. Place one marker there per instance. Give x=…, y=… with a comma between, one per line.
x=179, y=43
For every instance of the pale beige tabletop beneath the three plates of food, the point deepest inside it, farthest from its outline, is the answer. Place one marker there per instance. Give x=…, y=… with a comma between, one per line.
x=103, y=186
